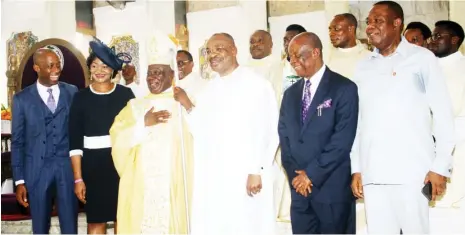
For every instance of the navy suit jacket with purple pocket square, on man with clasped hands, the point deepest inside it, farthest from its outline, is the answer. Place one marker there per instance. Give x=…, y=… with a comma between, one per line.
x=321, y=146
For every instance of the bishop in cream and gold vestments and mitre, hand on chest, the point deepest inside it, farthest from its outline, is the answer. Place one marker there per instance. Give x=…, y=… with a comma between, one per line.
x=152, y=152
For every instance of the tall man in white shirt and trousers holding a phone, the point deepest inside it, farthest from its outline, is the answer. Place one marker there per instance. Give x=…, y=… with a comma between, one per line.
x=403, y=101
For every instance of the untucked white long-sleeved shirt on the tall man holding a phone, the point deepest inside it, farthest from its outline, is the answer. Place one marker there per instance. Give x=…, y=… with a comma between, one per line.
x=403, y=101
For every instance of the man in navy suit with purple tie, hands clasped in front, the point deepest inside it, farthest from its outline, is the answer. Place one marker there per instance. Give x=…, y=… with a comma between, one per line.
x=317, y=126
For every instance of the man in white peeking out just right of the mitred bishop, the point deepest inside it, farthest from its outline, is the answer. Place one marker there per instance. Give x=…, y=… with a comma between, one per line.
x=190, y=81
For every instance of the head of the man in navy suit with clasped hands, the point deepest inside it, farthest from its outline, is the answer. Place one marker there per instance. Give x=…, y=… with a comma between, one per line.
x=305, y=54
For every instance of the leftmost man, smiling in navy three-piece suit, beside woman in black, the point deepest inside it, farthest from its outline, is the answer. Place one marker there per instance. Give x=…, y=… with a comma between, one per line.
x=40, y=149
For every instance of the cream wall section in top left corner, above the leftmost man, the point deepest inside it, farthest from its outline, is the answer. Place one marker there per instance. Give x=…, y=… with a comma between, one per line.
x=42, y=18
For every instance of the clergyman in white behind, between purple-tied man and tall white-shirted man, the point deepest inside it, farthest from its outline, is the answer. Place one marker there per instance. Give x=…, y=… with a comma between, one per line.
x=347, y=51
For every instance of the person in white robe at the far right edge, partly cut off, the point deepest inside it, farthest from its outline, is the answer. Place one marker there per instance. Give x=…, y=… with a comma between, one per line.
x=445, y=44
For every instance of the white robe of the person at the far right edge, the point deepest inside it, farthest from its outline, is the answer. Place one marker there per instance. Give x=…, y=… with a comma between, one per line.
x=454, y=69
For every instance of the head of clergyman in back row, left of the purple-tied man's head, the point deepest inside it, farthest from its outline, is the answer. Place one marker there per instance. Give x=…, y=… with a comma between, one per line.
x=260, y=44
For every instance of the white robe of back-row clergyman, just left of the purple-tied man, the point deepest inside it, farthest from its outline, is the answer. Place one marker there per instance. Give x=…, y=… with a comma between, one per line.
x=273, y=69
